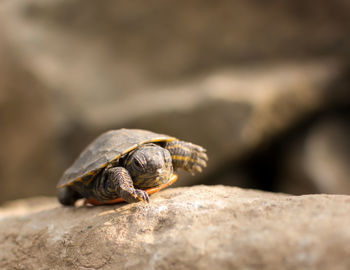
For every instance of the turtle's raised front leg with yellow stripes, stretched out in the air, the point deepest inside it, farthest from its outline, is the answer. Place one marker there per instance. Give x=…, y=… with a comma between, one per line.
x=188, y=156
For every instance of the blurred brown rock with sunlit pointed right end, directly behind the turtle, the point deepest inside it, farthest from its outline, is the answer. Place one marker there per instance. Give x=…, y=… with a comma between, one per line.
x=229, y=112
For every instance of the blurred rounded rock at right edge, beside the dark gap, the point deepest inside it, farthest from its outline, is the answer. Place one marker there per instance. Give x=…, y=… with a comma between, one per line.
x=327, y=156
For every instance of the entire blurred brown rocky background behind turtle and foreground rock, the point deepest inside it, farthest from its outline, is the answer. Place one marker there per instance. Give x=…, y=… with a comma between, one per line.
x=263, y=85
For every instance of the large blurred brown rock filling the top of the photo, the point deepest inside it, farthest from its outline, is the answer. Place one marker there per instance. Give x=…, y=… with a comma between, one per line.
x=117, y=47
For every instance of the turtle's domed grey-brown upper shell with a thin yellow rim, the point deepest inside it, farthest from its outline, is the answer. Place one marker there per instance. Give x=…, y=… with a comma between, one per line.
x=106, y=149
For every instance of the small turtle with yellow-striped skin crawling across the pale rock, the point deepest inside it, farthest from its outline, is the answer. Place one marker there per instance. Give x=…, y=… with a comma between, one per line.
x=128, y=165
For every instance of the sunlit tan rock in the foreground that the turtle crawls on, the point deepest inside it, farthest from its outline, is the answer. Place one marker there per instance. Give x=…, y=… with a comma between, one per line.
x=200, y=227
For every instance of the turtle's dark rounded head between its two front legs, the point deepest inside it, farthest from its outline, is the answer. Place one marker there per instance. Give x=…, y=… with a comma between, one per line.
x=150, y=165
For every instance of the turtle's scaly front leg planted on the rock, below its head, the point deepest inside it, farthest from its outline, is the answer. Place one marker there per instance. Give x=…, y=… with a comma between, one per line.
x=119, y=179
